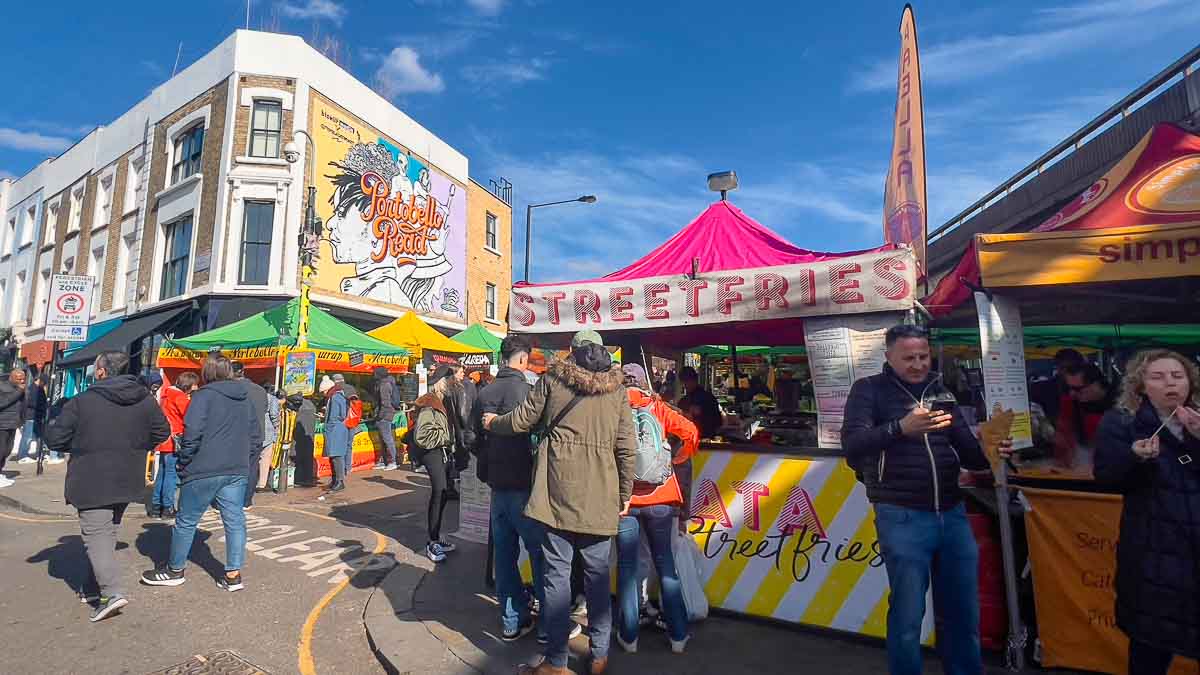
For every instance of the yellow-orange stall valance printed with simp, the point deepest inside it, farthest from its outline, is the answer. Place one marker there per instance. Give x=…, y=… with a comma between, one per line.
x=1089, y=256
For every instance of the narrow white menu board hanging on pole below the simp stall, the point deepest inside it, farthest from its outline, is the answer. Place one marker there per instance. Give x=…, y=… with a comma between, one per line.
x=1003, y=342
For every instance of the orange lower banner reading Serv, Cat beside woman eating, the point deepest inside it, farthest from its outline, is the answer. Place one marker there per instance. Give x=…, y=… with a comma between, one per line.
x=1073, y=549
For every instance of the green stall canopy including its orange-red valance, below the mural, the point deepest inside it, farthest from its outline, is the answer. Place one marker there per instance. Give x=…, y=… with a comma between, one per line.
x=259, y=342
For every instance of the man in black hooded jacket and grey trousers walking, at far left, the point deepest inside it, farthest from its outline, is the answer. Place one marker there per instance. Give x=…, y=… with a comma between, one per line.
x=107, y=431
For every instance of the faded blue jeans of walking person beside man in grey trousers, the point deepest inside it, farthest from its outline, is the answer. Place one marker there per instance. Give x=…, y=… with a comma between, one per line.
x=195, y=498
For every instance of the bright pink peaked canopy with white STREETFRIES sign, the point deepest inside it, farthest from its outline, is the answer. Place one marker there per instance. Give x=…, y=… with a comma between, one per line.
x=724, y=279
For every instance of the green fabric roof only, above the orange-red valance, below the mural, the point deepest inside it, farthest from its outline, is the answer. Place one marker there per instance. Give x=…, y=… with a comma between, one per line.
x=279, y=327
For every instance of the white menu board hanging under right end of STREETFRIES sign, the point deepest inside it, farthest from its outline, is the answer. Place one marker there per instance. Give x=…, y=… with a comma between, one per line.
x=841, y=351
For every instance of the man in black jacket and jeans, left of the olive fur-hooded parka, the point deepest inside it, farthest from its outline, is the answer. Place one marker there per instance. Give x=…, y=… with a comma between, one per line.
x=507, y=463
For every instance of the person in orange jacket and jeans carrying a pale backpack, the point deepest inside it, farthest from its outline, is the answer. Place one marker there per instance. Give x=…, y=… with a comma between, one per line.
x=655, y=510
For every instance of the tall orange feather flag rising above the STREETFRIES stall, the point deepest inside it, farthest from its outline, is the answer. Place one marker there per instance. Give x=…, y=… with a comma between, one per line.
x=904, y=195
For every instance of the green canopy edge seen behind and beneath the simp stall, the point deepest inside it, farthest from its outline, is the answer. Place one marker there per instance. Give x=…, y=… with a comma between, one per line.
x=1087, y=336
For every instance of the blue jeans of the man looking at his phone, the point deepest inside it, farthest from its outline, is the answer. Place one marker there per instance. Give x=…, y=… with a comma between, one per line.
x=917, y=545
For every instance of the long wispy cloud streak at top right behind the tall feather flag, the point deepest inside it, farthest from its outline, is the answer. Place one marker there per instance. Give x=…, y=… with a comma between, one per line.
x=1063, y=31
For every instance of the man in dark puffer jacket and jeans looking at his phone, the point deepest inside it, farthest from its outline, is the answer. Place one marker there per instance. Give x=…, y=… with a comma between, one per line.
x=909, y=452
